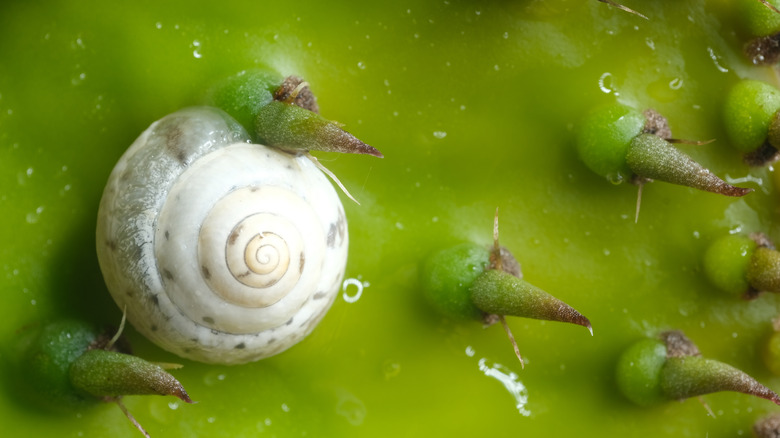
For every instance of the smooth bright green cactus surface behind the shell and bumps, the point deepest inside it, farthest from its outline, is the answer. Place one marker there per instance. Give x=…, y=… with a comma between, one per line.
x=507, y=81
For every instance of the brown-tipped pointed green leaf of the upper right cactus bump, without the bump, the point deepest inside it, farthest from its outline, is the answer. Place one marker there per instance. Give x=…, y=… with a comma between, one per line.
x=652, y=157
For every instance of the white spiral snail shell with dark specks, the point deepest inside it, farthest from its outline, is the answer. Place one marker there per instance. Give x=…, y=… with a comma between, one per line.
x=221, y=251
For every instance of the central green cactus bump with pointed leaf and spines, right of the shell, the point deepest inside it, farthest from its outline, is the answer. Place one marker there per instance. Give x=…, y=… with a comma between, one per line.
x=469, y=281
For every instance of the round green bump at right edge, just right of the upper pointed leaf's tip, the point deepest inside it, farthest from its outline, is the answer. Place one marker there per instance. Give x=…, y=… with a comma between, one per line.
x=751, y=115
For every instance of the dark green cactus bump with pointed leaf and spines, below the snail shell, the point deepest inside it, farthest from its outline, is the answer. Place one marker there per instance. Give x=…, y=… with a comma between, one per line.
x=70, y=364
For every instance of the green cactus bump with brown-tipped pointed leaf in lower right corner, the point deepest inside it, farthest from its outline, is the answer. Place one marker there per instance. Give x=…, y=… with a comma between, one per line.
x=671, y=367
